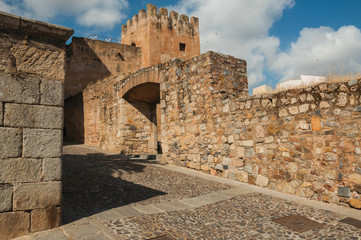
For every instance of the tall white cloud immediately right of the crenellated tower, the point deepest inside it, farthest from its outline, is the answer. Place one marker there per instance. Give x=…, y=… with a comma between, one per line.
x=239, y=28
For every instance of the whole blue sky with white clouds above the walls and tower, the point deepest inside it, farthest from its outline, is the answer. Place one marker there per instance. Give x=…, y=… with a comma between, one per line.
x=279, y=39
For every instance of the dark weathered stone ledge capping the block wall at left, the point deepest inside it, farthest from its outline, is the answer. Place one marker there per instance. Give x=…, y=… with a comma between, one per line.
x=29, y=26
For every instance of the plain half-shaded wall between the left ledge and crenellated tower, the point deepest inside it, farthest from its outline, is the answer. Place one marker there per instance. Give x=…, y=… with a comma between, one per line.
x=89, y=61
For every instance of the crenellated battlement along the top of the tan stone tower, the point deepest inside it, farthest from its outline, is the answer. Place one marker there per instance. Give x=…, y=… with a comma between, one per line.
x=172, y=21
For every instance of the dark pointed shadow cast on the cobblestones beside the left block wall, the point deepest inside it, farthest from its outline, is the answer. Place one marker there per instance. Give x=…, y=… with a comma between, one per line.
x=93, y=183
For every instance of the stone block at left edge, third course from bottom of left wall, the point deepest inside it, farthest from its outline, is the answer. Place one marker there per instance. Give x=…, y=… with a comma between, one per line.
x=20, y=170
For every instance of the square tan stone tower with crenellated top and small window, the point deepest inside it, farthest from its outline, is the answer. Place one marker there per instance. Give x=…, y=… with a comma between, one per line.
x=162, y=37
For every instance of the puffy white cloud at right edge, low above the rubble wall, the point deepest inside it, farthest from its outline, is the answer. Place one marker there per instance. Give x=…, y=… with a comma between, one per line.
x=319, y=51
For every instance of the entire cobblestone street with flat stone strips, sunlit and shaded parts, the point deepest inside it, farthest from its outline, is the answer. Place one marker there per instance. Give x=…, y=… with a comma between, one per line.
x=173, y=203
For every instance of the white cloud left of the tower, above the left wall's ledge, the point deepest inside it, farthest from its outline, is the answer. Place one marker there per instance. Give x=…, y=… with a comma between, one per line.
x=98, y=13
